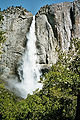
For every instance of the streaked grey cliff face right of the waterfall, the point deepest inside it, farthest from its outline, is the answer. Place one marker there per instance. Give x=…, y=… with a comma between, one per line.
x=56, y=26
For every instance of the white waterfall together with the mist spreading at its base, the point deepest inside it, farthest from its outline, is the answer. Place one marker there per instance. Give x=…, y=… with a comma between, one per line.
x=31, y=74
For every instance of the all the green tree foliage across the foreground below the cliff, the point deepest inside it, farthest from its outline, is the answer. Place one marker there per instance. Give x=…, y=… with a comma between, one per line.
x=56, y=101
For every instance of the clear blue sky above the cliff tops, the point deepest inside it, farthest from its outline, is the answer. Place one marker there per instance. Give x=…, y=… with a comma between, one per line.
x=30, y=5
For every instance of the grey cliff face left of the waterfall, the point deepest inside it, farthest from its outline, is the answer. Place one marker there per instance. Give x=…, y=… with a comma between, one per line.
x=16, y=24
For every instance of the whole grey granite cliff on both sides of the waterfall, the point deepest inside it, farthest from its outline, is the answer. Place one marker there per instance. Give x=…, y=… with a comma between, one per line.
x=56, y=26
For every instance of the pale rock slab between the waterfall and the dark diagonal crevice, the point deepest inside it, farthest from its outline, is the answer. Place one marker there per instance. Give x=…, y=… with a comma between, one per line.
x=45, y=43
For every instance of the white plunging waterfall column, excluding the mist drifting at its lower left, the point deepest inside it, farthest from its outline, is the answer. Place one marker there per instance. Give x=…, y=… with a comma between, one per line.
x=31, y=73
